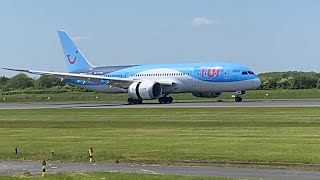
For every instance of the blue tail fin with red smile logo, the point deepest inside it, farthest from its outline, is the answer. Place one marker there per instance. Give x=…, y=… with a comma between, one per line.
x=74, y=58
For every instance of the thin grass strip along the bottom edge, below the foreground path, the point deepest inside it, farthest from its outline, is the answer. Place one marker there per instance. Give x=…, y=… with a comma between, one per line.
x=110, y=176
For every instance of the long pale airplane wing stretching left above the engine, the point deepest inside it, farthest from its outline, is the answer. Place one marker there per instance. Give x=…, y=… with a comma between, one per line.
x=113, y=81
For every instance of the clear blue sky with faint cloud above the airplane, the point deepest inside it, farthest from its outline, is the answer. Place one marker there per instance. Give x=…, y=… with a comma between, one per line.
x=265, y=35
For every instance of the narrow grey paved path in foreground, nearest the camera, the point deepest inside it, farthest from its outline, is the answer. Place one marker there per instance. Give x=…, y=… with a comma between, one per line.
x=17, y=168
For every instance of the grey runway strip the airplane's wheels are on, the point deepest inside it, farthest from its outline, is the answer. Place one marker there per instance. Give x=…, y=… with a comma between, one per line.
x=296, y=103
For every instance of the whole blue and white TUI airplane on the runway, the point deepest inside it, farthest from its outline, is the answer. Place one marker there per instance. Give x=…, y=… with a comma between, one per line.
x=153, y=81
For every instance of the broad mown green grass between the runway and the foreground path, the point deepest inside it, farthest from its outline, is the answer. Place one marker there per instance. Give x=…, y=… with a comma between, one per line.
x=163, y=135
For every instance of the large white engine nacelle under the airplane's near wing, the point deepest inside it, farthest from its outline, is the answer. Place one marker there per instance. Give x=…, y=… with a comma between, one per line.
x=145, y=90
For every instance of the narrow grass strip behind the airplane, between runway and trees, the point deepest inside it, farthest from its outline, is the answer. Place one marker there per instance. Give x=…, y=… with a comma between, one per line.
x=100, y=97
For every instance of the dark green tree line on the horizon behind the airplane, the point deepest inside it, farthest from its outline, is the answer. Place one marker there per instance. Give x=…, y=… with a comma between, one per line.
x=270, y=80
